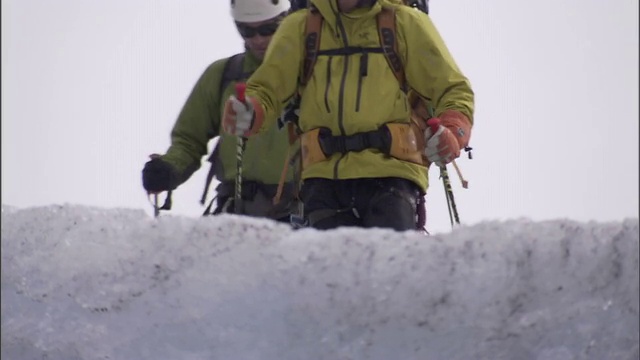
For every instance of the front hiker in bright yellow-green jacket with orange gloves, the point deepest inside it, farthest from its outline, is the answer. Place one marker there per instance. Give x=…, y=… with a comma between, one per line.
x=354, y=113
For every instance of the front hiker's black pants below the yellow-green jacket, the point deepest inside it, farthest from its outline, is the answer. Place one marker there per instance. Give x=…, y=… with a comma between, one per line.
x=369, y=202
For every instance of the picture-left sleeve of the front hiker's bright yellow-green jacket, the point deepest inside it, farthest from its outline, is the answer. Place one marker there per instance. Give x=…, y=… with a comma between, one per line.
x=276, y=80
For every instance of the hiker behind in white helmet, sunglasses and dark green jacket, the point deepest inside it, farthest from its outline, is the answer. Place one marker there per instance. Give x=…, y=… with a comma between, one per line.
x=200, y=121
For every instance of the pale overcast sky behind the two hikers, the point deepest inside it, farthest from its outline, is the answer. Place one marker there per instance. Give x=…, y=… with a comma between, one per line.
x=91, y=88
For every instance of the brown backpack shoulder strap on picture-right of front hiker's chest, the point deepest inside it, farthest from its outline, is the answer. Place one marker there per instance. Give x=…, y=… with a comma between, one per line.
x=389, y=43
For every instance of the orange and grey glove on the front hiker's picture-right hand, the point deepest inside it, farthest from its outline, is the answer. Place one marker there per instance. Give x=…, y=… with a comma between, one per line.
x=446, y=136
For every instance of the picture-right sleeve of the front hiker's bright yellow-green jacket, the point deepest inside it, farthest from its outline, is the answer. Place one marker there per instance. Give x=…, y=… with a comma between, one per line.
x=429, y=67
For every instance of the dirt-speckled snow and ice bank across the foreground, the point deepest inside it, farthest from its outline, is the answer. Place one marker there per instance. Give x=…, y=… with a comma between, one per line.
x=91, y=283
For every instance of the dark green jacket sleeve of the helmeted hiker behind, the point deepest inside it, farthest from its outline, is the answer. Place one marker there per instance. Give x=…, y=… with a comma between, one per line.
x=197, y=123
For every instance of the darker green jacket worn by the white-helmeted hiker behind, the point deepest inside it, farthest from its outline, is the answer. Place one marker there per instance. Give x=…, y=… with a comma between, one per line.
x=200, y=121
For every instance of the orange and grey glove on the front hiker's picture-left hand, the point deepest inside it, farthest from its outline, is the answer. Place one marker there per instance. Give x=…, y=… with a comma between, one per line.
x=242, y=118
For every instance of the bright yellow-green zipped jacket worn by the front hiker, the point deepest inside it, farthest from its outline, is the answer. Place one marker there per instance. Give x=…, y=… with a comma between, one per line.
x=338, y=98
